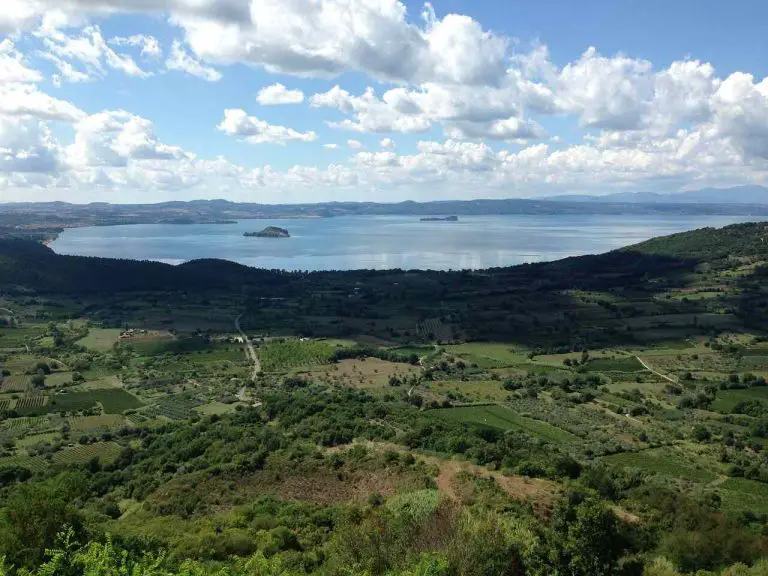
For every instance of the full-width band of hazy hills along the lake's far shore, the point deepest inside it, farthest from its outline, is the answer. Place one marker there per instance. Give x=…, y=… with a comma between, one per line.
x=44, y=221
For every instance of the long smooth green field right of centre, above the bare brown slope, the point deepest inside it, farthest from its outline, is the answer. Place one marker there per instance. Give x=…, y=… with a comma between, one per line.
x=496, y=416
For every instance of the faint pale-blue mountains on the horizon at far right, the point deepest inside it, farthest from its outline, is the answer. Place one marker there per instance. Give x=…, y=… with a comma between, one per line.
x=736, y=195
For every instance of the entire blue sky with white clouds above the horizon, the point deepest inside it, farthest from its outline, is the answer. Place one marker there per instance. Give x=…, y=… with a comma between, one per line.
x=285, y=101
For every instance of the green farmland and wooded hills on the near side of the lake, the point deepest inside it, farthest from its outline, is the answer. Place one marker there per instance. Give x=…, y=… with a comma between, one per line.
x=597, y=415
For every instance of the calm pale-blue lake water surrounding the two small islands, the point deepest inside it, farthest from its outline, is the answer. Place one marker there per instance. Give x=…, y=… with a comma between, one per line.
x=381, y=242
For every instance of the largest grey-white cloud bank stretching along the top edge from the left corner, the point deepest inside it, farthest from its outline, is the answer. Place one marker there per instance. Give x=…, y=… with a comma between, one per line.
x=309, y=37
